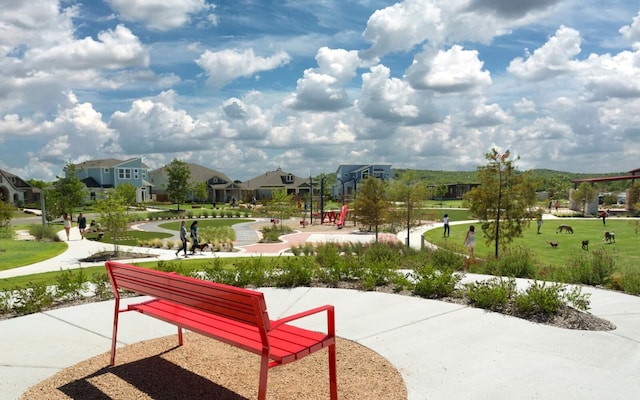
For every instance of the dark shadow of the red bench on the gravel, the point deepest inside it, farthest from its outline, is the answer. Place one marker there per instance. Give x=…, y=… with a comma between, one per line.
x=156, y=377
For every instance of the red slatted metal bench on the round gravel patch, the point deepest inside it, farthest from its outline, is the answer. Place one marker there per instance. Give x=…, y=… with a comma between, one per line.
x=235, y=316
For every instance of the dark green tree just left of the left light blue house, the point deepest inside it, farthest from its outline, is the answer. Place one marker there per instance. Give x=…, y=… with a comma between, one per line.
x=69, y=193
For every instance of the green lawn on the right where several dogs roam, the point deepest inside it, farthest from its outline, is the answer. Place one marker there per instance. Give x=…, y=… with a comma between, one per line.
x=626, y=249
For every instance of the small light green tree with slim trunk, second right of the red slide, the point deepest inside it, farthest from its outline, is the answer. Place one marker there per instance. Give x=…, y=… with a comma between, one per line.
x=408, y=192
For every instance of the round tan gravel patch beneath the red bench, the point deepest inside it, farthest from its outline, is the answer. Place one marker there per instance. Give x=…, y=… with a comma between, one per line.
x=205, y=368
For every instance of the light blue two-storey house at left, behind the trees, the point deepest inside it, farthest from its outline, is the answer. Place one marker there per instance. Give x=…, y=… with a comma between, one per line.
x=100, y=175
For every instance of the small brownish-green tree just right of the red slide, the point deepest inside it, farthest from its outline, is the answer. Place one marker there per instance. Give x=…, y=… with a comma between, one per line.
x=371, y=205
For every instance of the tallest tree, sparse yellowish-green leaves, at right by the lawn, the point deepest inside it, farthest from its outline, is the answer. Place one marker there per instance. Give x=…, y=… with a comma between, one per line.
x=502, y=200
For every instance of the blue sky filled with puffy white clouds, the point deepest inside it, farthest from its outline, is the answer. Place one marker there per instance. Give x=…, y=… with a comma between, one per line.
x=244, y=87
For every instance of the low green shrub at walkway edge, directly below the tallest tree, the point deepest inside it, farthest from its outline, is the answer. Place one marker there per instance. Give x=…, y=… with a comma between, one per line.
x=493, y=294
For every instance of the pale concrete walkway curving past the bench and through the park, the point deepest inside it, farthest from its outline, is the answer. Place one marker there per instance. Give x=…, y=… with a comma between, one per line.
x=442, y=350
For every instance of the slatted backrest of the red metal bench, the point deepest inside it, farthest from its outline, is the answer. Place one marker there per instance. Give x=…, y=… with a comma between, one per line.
x=243, y=305
